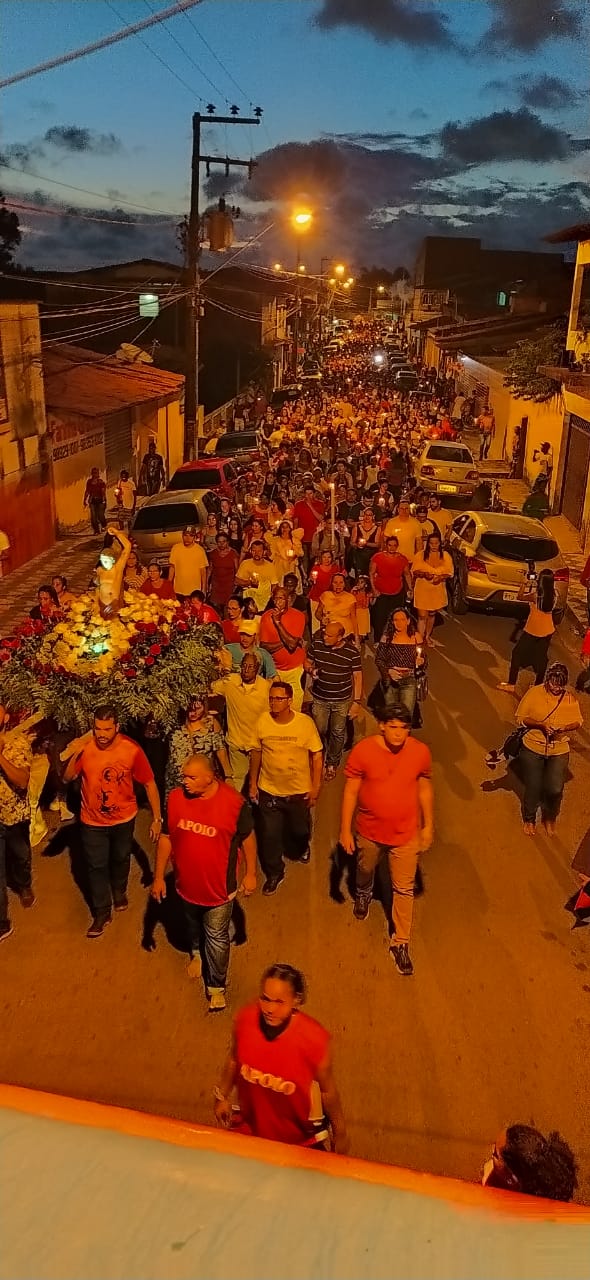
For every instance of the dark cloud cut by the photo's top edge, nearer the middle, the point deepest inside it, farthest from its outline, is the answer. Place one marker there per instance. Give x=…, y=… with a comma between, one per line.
x=388, y=22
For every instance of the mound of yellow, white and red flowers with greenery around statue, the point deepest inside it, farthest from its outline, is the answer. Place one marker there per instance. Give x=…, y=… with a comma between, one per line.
x=148, y=661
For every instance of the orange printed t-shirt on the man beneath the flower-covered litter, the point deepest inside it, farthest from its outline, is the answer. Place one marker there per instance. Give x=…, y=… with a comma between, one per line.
x=108, y=776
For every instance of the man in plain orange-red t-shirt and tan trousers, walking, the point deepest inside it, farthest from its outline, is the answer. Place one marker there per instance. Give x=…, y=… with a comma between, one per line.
x=388, y=785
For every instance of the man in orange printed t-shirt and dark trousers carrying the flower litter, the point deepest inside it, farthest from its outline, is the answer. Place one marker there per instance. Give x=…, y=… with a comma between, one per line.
x=109, y=765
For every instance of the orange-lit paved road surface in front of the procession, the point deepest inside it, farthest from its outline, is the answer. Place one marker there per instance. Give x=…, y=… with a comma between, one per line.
x=495, y=1026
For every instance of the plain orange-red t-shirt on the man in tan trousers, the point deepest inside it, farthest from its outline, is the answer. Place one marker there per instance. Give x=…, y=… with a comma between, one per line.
x=388, y=810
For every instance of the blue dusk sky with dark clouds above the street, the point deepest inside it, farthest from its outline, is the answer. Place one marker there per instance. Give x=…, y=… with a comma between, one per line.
x=391, y=120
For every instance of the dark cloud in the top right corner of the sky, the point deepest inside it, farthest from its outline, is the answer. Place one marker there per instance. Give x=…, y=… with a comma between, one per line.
x=524, y=26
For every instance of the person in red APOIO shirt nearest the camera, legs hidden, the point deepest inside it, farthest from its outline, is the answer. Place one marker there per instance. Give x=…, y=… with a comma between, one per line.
x=277, y=1057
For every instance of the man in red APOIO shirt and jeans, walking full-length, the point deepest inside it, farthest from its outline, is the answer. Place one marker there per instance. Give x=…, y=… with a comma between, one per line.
x=208, y=825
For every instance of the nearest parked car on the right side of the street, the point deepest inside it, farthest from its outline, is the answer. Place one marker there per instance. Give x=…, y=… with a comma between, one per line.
x=495, y=552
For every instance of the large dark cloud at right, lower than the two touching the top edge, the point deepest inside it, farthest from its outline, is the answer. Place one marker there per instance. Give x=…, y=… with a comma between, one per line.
x=506, y=136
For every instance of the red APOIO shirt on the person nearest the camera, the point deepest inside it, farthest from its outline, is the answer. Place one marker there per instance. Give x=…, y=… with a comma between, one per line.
x=276, y=1077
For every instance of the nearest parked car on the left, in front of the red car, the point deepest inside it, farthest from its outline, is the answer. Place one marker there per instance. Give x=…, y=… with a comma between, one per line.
x=159, y=523
